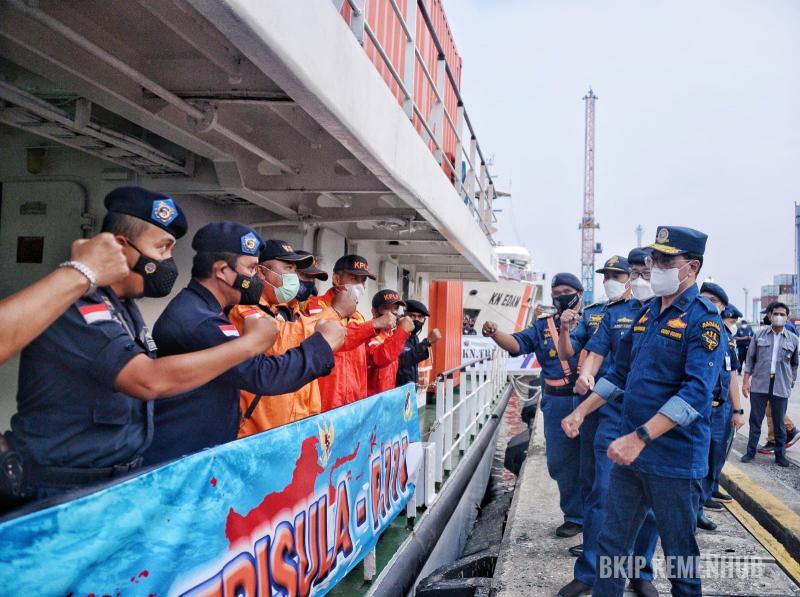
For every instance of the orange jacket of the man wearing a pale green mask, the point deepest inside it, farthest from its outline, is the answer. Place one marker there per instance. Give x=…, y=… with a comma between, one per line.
x=273, y=411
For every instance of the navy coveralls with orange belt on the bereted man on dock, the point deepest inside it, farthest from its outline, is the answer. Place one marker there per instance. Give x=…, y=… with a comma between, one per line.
x=563, y=453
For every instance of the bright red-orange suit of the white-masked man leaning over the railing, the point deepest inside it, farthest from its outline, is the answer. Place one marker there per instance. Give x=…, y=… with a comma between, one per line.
x=348, y=380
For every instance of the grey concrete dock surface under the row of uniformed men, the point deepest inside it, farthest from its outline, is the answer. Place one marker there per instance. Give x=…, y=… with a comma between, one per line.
x=533, y=561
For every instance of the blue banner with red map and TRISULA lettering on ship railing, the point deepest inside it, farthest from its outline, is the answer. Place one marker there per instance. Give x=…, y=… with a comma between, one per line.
x=286, y=512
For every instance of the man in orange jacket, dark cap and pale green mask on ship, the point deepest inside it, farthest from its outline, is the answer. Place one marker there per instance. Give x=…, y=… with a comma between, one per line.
x=278, y=267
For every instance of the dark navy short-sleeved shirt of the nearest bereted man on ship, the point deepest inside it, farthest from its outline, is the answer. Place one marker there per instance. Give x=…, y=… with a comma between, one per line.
x=68, y=414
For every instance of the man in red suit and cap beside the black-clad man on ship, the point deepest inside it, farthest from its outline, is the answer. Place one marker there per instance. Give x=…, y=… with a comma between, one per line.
x=383, y=351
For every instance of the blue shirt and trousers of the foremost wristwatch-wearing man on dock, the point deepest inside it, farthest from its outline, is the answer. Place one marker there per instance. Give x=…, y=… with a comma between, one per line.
x=668, y=363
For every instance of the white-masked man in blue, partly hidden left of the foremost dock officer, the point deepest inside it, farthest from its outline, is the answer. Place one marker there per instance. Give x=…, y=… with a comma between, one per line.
x=601, y=351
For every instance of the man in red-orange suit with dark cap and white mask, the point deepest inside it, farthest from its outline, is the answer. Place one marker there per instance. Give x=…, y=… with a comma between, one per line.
x=348, y=380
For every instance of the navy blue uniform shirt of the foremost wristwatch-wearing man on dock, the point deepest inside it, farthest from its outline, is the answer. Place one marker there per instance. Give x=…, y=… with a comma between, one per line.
x=669, y=363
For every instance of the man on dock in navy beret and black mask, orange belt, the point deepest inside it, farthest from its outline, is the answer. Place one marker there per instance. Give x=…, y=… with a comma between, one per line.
x=563, y=453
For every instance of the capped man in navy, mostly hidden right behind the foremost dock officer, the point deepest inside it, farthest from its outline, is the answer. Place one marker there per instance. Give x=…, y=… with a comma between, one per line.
x=726, y=410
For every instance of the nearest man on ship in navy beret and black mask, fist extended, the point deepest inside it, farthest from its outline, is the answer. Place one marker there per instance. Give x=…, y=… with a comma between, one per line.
x=84, y=410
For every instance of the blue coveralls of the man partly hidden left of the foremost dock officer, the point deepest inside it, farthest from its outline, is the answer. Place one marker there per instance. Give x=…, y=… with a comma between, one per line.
x=617, y=321
